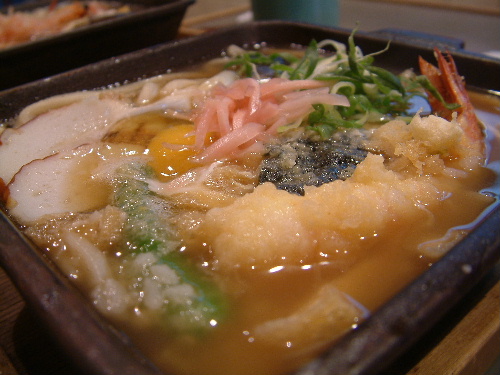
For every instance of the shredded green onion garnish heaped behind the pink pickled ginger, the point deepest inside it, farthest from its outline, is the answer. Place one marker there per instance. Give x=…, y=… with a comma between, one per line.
x=375, y=94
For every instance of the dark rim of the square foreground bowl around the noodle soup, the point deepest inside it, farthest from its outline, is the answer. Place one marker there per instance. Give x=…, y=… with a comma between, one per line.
x=98, y=348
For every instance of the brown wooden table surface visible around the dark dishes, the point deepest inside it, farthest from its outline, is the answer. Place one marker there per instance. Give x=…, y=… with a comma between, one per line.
x=465, y=342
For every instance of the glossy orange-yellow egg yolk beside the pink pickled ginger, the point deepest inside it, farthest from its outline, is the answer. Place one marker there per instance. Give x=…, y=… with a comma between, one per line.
x=171, y=152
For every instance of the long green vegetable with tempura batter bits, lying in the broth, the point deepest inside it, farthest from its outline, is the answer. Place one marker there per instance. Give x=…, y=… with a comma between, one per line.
x=147, y=230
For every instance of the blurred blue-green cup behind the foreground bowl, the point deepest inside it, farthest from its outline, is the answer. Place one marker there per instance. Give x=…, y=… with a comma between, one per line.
x=319, y=12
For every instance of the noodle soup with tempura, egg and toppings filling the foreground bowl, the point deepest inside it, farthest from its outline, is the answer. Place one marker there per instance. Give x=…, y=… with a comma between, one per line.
x=240, y=217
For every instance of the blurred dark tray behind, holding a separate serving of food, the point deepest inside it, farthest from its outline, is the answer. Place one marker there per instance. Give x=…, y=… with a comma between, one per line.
x=149, y=22
